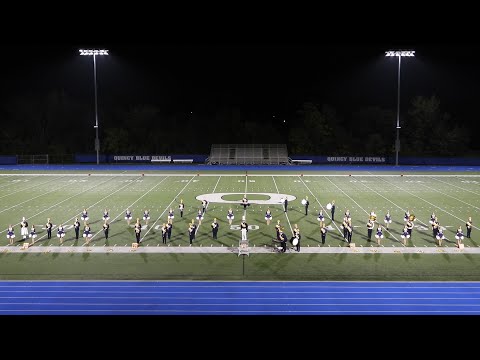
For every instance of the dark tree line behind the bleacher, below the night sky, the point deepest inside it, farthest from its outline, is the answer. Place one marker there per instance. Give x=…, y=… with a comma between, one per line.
x=56, y=123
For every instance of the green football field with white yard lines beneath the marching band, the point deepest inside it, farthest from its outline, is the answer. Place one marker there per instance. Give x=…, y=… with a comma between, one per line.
x=62, y=196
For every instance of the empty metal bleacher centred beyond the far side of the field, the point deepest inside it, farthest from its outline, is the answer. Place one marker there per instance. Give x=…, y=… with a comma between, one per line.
x=248, y=154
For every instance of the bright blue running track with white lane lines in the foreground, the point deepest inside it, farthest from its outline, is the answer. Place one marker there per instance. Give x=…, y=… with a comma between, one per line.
x=238, y=298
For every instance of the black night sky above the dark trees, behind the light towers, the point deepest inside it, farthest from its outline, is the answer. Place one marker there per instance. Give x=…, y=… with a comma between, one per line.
x=270, y=77
